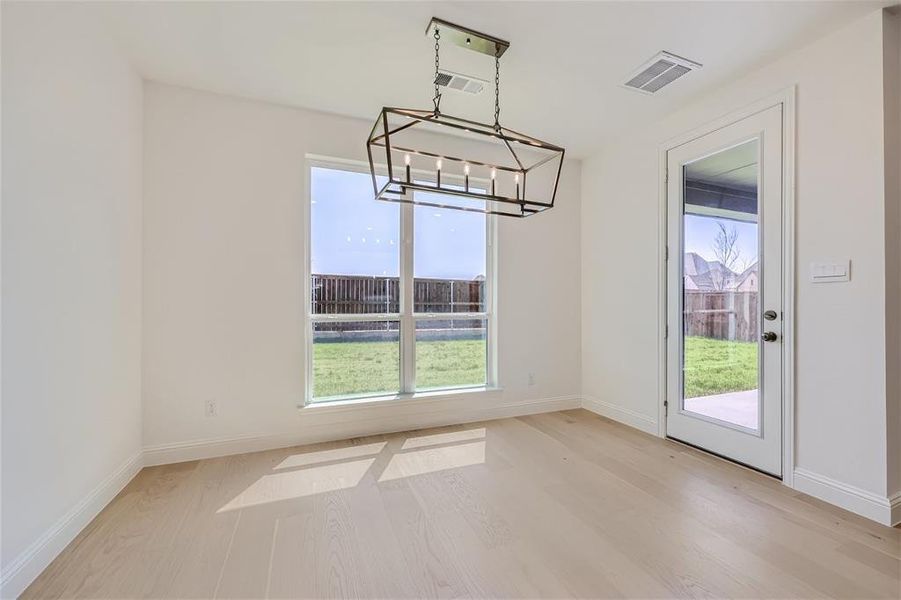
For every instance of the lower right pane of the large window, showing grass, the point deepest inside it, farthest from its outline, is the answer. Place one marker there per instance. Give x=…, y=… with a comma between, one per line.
x=451, y=353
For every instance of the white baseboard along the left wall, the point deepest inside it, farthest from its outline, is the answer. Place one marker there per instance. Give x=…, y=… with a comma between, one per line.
x=27, y=566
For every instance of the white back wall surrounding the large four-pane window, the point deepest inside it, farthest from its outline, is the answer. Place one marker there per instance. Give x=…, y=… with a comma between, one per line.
x=223, y=274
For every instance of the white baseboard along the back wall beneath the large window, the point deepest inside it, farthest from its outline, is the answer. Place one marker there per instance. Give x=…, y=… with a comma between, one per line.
x=391, y=419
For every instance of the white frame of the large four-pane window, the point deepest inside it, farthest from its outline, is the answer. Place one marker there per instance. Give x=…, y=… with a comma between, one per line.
x=406, y=317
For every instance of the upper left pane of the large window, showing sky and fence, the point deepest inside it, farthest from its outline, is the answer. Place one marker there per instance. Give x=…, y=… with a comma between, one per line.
x=354, y=242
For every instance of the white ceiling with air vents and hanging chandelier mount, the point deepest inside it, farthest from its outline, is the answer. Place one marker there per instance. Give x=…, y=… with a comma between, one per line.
x=560, y=80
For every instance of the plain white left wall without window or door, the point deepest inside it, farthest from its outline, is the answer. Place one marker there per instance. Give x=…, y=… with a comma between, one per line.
x=71, y=260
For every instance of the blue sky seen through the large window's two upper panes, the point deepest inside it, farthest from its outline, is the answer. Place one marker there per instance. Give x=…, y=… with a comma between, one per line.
x=353, y=234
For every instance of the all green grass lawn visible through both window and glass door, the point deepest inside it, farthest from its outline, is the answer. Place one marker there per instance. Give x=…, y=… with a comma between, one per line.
x=711, y=366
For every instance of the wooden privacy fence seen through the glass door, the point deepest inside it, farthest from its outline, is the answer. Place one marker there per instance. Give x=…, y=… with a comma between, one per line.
x=722, y=315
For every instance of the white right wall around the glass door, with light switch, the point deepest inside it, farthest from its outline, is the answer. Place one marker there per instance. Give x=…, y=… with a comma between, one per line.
x=841, y=360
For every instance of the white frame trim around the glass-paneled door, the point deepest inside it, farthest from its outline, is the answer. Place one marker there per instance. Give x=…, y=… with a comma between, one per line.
x=787, y=99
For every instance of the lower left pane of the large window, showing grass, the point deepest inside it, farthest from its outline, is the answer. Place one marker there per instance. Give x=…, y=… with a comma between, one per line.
x=355, y=358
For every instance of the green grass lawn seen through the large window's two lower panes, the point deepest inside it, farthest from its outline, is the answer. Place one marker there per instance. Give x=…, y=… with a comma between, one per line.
x=372, y=367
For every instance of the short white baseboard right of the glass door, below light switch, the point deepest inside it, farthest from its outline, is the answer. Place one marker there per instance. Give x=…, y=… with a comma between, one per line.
x=866, y=504
